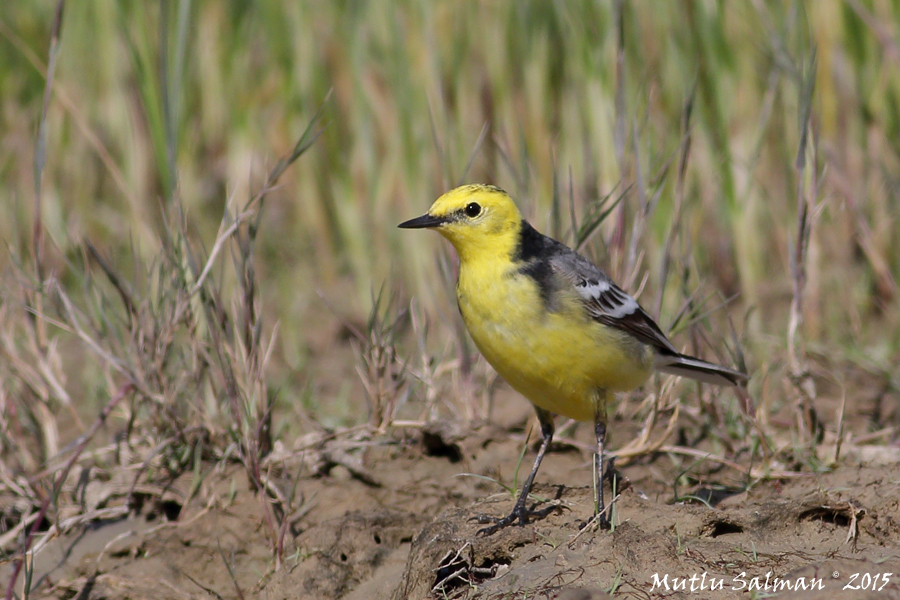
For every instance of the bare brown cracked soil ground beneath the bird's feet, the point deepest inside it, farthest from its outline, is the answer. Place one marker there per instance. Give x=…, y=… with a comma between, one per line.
x=406, y=533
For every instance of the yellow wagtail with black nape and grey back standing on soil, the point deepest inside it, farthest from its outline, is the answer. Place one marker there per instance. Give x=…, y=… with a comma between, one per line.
x=553, y=325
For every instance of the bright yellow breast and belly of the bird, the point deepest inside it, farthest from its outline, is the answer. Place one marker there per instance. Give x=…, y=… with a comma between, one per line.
x=562, y=361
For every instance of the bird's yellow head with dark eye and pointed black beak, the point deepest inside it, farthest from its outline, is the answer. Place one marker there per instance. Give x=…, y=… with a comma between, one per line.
x=477, y=219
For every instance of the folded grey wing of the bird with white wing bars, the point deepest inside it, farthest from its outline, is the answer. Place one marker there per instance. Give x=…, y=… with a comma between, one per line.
x=607, y=303
